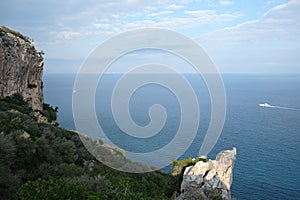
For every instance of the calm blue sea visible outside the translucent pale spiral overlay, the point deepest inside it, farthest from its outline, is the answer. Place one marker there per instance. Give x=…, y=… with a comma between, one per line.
x=267, y=139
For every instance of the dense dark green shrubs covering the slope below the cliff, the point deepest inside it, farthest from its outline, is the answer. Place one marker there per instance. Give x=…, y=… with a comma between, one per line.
x=39, y=159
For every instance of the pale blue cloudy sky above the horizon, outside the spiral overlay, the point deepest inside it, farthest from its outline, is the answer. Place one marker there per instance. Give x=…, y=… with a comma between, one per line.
x=239, y=36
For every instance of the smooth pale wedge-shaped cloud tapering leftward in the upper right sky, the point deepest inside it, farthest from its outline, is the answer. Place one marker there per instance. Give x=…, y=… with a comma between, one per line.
x=280, y=23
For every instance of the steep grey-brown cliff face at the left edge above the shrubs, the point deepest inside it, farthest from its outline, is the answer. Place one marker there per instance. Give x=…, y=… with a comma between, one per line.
x=21, y=68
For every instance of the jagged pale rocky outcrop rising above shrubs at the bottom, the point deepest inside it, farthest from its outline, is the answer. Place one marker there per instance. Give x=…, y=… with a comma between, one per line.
x=209, y=180
